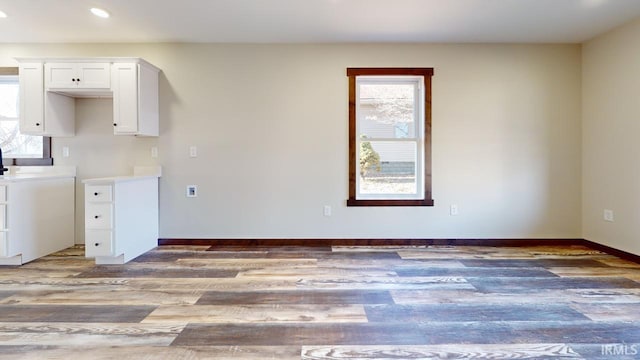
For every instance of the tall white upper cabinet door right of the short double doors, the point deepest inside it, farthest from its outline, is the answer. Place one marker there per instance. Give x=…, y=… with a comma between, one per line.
x=125, y=98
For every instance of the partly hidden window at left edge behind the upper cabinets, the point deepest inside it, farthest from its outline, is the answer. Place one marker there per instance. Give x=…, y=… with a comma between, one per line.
x=18, y=149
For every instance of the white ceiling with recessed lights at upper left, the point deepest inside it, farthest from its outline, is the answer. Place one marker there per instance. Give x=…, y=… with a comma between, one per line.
x=306, y=21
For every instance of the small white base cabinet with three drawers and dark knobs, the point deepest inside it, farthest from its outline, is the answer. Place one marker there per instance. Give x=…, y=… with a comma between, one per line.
x=121, y=218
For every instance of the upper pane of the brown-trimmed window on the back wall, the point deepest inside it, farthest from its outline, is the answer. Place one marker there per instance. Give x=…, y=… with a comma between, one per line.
x=387, y=111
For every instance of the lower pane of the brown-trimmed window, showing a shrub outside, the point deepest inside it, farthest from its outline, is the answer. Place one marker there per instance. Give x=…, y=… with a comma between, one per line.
x=387, y=167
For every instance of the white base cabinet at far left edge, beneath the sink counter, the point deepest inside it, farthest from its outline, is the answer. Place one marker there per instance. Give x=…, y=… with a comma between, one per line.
x=37, y=217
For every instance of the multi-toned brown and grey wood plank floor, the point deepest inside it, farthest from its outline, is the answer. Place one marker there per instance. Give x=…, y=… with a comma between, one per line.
x=439, y=302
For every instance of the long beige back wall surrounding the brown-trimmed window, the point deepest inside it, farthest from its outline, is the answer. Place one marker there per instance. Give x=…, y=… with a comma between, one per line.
x=270, y=123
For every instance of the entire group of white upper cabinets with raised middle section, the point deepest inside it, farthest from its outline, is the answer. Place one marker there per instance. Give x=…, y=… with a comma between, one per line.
x=48, y=88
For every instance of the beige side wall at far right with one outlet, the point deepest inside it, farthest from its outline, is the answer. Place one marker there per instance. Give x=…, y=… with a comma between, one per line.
x=611, y=134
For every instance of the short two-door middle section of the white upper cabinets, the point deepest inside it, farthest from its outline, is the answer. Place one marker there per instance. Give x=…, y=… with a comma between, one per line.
x=72, y=75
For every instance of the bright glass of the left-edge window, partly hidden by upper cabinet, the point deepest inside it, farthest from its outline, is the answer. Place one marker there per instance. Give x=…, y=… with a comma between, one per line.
x=14, y=144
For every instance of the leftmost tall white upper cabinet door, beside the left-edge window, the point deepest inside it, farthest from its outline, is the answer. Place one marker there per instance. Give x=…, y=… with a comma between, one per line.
x=31, y=98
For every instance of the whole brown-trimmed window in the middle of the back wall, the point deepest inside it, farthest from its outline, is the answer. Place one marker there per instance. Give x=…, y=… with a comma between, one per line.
x=390, y=136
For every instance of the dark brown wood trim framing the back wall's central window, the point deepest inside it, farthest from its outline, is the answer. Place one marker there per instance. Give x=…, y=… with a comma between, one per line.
x=427, y=74
